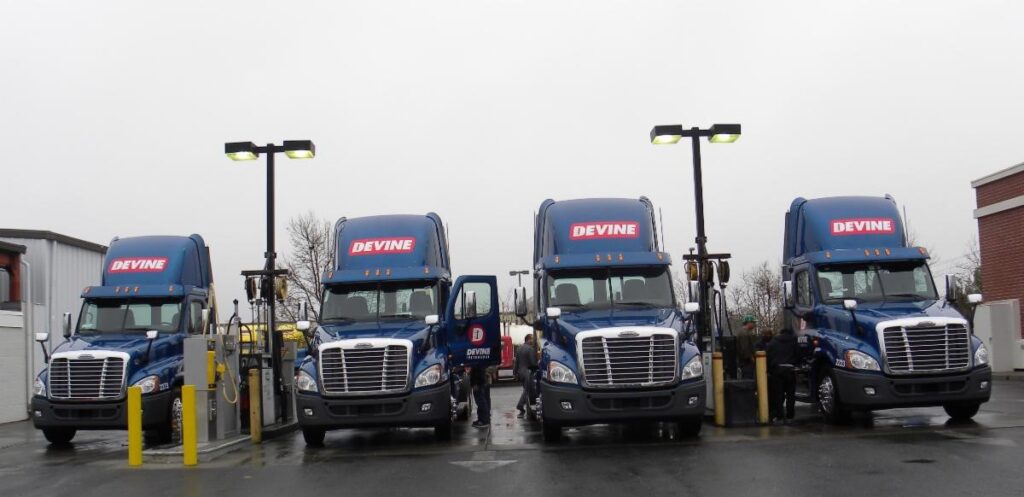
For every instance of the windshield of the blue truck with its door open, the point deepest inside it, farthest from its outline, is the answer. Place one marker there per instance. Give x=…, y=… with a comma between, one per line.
x=368, y=303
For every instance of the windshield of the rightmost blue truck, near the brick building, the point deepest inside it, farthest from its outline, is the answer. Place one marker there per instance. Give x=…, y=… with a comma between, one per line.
x=877, y=282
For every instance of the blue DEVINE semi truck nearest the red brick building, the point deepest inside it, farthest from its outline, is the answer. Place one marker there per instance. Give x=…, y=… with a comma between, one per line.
x=875, y=333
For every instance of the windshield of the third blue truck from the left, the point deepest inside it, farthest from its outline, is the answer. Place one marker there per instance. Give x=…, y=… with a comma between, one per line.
x=605, y=288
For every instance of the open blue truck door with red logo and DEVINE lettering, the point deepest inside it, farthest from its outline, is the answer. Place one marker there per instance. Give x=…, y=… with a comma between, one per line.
x=474, y=338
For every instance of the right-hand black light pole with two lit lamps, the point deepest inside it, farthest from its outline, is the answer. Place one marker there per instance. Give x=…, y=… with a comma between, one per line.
x=718, y=134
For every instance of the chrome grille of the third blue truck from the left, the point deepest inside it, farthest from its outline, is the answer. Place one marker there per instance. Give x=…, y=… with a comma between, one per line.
x=629, y=359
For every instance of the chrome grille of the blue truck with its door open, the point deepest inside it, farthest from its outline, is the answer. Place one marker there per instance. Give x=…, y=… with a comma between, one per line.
x=365, y=370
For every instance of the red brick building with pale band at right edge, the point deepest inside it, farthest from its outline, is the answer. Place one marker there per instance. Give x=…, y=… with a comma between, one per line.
x=1001, y=231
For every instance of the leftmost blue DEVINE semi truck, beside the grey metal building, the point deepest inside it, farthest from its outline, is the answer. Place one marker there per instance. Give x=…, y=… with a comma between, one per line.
x=155, y=293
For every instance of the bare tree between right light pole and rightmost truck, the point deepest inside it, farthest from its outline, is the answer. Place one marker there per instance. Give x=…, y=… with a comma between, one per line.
x=759, y=294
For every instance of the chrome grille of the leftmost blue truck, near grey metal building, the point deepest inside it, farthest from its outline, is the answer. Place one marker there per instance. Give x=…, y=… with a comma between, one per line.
x=87, y=380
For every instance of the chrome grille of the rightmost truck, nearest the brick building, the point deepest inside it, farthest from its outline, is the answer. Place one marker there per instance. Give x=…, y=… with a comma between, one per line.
x=926, y=349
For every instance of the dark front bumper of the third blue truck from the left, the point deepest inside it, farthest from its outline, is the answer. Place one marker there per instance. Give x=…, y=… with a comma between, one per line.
x=592, y=407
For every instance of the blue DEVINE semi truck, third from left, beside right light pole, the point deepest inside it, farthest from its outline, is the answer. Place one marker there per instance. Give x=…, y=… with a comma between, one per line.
x=615, y=345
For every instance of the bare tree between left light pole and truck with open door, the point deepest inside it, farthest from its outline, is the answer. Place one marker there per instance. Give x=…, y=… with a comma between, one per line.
x=308, y=258
